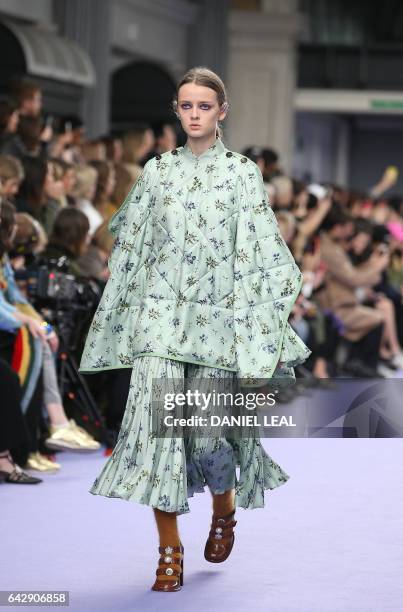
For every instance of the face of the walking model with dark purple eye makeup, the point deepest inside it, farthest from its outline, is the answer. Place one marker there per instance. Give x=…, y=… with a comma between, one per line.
x=199, y=110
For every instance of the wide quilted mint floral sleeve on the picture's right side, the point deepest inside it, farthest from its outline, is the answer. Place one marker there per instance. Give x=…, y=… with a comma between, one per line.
x=267, y=282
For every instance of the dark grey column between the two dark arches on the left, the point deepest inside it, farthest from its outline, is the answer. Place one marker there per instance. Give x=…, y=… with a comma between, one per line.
x=89, y=24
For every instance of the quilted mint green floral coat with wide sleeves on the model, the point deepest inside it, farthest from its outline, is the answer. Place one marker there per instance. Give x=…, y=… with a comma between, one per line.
x=199, y=271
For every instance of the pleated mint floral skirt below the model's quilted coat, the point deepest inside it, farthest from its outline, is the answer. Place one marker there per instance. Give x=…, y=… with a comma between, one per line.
x=163, y=473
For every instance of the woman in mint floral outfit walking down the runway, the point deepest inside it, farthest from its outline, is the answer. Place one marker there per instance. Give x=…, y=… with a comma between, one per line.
x=201, y=287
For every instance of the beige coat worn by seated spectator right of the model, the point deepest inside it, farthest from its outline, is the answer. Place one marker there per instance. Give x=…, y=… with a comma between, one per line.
x=341, y=280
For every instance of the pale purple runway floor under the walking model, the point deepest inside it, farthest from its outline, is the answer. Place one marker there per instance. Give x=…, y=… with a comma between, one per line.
x=329, y=540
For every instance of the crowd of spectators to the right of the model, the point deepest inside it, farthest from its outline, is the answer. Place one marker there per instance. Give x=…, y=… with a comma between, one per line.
x=348, y=245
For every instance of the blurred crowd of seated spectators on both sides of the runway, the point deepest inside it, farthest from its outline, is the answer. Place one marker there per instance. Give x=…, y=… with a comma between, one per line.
x=58, y=191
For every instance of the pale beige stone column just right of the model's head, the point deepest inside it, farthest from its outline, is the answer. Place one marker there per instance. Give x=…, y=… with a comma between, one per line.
x=262, y=77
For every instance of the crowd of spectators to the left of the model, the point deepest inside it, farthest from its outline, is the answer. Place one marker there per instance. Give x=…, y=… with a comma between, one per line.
x=58, y=191
